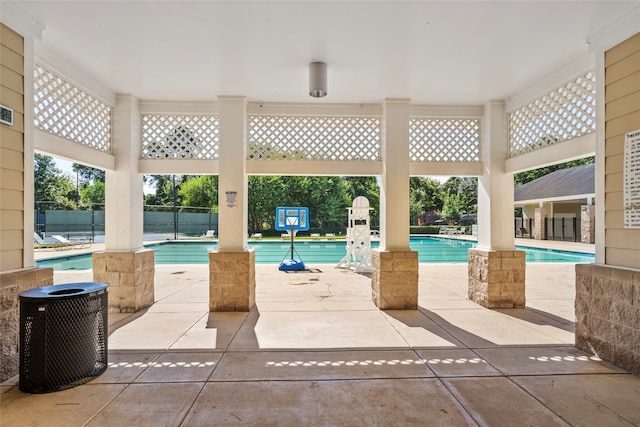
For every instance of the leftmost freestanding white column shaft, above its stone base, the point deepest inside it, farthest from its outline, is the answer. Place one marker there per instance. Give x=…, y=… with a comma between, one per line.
x=124, y=188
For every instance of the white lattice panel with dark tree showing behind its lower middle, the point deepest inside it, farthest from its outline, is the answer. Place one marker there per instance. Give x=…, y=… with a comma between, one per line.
x=180, y=136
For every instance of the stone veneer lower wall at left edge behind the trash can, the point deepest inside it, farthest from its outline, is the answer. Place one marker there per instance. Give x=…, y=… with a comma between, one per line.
x=12, y=283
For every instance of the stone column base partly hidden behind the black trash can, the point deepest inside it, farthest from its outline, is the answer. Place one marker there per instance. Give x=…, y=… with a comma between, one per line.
x=130, y=276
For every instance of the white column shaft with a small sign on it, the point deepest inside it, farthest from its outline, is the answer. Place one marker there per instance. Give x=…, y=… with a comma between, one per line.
x=232, y=219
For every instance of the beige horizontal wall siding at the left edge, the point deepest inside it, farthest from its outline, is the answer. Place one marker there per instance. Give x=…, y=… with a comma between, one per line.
x=12, y=151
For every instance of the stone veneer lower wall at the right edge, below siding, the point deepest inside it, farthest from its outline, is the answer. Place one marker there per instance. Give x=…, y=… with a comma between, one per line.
x=608, y=314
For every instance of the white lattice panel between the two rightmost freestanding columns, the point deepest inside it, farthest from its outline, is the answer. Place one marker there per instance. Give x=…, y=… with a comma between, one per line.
x=444, y=140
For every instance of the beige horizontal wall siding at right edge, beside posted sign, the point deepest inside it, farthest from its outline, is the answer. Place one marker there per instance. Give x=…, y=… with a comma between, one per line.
x=622, y=115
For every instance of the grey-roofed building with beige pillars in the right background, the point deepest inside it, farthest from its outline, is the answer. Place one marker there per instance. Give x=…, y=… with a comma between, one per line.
x=558, y=206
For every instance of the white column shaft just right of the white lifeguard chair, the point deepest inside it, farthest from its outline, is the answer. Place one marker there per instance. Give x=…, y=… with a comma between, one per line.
x=394, y=191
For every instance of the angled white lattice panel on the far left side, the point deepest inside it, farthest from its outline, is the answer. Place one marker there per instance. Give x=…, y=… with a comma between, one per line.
x=64, y=110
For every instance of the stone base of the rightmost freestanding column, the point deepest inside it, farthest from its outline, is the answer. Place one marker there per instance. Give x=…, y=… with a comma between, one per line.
x=496, y=278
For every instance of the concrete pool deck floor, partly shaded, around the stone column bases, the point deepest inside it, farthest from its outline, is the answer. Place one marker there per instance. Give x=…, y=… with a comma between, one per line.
x=316, y=351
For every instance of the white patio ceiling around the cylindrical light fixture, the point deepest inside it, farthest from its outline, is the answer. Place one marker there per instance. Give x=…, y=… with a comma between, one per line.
x=438, y=53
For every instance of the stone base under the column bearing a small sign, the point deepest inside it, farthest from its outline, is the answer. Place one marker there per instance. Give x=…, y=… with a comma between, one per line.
x=232, y=281
